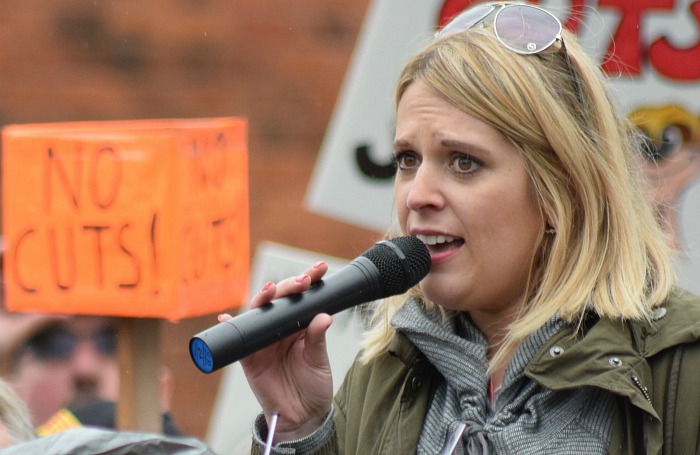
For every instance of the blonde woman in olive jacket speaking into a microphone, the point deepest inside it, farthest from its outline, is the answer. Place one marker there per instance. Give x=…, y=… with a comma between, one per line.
x=548, y=322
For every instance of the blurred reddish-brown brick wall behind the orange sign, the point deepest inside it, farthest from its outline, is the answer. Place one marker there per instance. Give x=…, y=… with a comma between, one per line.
x=278, y=63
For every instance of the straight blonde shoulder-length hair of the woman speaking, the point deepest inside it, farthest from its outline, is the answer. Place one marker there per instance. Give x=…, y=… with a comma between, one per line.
x=609, y=254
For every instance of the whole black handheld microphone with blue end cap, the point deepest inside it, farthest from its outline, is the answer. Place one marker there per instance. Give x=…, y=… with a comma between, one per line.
x=389, y=268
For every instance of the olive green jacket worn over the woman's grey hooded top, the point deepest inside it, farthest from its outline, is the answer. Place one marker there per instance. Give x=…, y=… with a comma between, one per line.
x=653, y=369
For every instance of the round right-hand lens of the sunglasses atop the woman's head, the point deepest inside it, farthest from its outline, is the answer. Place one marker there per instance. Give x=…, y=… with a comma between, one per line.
x=526, y=29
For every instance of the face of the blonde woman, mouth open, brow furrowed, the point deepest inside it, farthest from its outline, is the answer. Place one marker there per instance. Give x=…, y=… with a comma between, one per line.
x=462, y=188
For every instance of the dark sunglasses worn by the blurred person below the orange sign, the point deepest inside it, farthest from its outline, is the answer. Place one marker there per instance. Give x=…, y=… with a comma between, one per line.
x=58, y=343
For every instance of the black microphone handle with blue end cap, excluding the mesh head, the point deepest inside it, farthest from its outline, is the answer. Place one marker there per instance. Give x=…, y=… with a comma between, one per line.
x=229, y=341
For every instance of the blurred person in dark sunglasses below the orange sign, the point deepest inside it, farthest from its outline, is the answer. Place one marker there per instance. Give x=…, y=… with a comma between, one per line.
x=65, y=368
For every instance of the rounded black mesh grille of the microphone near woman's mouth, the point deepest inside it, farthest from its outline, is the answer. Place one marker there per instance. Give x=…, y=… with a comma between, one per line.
x=402, y=262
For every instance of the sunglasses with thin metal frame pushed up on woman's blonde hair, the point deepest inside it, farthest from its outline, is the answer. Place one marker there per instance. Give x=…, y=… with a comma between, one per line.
x=524, y=29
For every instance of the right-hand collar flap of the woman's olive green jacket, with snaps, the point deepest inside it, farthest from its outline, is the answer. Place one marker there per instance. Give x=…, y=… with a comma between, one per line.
x=613, y=354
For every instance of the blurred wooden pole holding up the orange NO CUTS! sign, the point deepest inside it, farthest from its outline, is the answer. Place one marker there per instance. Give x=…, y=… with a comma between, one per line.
x=138, y=408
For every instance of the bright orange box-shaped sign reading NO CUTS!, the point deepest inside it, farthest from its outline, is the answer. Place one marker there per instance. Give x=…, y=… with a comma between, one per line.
x=144, y=218
